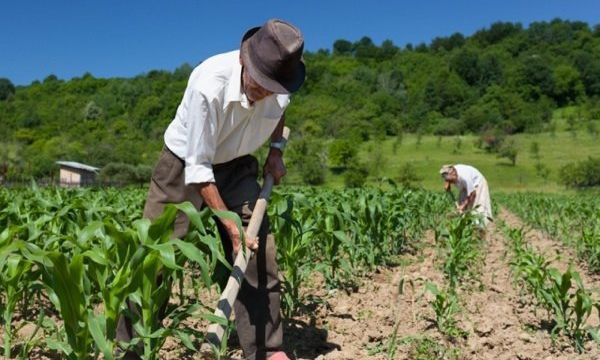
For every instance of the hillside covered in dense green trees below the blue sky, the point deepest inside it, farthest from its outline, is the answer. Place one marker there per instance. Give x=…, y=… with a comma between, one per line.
x=503, y=79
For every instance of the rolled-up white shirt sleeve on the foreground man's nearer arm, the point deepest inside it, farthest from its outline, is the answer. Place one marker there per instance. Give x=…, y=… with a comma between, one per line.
x=202, y=140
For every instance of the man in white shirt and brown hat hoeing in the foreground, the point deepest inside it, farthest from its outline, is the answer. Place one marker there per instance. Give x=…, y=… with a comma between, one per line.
x=233, y=103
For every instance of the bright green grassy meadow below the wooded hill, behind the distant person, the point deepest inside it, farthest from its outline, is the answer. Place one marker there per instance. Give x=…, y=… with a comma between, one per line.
x=556, y=150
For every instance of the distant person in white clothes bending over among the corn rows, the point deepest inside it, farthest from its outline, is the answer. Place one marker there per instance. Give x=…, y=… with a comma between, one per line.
x=473, y=189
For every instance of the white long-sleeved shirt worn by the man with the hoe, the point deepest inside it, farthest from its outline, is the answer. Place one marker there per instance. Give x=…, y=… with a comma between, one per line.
x=215, y=122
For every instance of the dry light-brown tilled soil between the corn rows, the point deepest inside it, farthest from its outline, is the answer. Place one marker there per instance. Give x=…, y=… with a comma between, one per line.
x=500, y=321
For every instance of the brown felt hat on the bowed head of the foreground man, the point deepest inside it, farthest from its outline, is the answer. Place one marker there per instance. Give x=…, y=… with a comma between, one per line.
x=272, y=55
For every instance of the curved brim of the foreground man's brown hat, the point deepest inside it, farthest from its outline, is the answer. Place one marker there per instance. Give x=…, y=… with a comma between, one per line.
x=277, y=86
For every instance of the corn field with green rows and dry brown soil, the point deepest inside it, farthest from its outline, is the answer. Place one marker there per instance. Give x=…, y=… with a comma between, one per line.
x=66, y=253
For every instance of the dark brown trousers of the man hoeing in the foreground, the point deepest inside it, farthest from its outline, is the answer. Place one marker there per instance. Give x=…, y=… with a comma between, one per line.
x=257, y=307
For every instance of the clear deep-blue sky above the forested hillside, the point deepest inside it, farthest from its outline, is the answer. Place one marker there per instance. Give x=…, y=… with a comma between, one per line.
x=124, y=38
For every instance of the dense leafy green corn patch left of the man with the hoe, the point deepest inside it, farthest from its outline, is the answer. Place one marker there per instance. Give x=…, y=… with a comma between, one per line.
x=89, y=255
